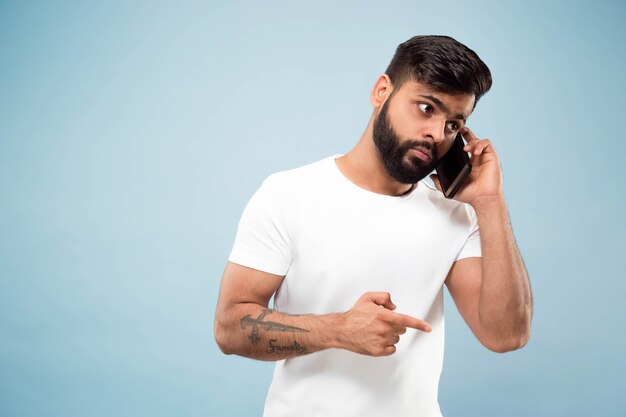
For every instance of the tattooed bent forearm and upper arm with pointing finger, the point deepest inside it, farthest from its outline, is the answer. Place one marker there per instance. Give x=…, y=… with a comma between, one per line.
x=244, y=325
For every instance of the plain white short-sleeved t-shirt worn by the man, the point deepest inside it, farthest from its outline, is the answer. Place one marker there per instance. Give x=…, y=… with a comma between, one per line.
x=334, y=241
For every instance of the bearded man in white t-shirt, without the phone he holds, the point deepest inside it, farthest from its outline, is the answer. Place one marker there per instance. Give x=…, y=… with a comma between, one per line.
x=356, y=249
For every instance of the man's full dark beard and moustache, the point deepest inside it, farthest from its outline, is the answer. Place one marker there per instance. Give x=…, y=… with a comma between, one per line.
x=393, y=153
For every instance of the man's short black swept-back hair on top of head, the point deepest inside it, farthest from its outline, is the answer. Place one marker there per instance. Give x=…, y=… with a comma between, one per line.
x=442, y=63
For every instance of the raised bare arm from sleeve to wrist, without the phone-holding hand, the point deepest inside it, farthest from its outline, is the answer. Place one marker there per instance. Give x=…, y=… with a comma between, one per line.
x=492, y=293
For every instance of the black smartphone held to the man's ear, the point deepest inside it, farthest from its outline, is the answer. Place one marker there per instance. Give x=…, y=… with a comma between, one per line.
x=454, y=168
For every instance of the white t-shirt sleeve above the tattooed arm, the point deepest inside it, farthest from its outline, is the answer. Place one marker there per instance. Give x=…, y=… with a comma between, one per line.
x=262, y=240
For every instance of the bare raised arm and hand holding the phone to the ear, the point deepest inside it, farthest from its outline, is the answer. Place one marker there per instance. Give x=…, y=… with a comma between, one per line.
x=493, y=292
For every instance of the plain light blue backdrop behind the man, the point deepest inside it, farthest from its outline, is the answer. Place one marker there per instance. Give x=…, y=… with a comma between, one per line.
x=133, y=134
